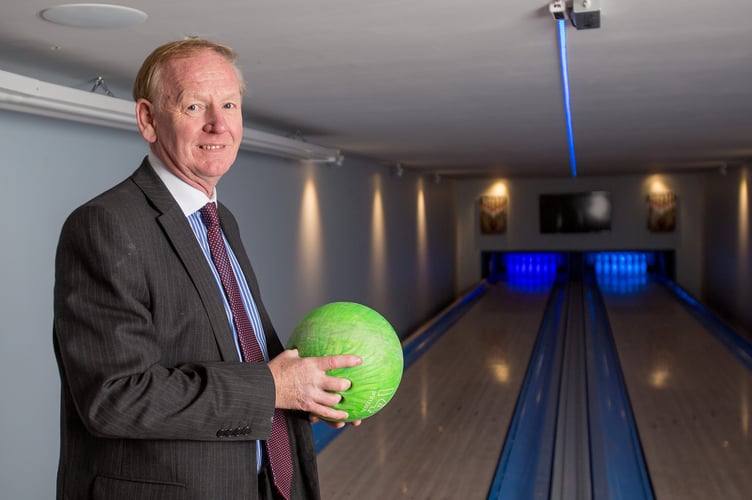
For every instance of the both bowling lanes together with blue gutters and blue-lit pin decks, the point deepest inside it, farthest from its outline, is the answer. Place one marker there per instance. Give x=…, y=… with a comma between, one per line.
x=562, y=375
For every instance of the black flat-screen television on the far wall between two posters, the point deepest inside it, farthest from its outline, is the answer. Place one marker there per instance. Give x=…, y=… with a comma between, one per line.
x=575, y=212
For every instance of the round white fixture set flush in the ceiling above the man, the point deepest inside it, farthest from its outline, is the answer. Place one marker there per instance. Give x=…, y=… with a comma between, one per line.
x=93, y=15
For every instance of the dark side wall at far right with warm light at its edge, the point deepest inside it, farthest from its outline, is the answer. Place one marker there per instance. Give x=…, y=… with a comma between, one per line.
x=727, y=266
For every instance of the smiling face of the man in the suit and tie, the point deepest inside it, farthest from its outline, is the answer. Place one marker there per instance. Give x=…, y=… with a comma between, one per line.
x=197, y=126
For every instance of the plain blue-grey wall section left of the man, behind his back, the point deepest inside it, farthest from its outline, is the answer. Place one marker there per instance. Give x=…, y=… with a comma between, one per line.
x=48, y=168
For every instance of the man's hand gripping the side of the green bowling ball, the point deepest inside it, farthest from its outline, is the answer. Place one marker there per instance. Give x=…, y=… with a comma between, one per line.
x=302, y=383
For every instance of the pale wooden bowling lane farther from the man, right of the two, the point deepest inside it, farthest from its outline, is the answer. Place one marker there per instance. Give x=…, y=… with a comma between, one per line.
x=691, y=398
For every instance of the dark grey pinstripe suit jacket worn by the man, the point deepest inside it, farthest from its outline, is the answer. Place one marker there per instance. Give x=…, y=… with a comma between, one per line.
x=155, y=403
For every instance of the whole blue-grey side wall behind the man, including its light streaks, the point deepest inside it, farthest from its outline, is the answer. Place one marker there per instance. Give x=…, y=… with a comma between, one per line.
x=314, y=233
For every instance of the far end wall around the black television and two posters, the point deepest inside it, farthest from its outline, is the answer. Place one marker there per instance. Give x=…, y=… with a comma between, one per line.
x=629, y=230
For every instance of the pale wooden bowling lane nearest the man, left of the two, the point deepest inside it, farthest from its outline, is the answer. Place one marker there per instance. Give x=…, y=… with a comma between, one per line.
x=441, y=435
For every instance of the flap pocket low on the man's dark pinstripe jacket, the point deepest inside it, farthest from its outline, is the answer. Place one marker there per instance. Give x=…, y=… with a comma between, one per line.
x=115, y=488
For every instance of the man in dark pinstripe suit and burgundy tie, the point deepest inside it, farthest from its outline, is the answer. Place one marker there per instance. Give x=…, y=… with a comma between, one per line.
x=160, y=397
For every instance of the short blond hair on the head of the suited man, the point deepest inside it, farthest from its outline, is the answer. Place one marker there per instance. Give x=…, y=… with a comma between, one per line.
x=147, y=84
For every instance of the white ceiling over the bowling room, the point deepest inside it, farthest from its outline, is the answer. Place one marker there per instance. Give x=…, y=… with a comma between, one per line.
x=456, y=87
